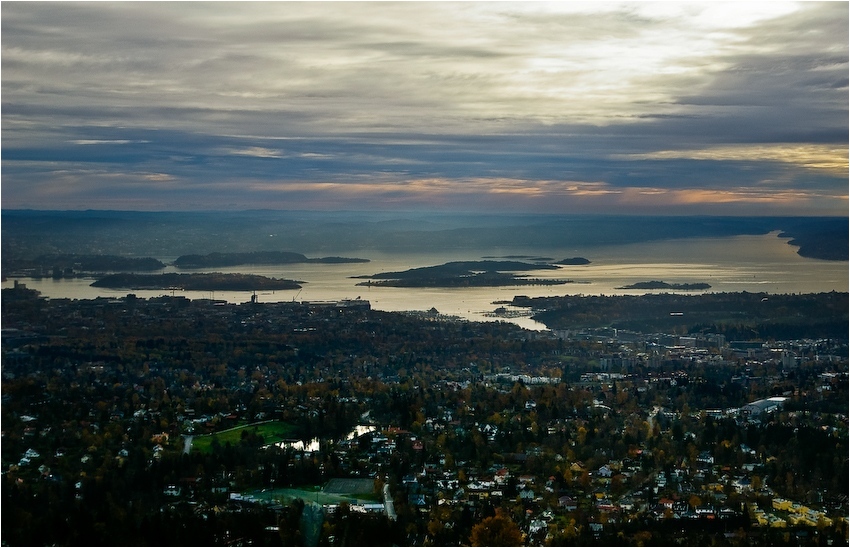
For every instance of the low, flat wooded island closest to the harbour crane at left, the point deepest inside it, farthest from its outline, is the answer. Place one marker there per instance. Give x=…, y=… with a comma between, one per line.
x=196, y=282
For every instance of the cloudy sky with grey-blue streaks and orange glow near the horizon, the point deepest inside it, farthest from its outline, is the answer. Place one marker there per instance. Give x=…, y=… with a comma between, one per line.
x=673, y=108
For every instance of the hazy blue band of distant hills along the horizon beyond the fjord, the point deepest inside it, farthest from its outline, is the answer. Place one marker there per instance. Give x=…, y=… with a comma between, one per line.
x=27, y=234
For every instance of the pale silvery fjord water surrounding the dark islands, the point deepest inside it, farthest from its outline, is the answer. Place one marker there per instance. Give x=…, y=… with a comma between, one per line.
x=764, y=263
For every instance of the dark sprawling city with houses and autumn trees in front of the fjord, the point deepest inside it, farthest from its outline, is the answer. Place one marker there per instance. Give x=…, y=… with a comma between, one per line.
x=171, y=421
